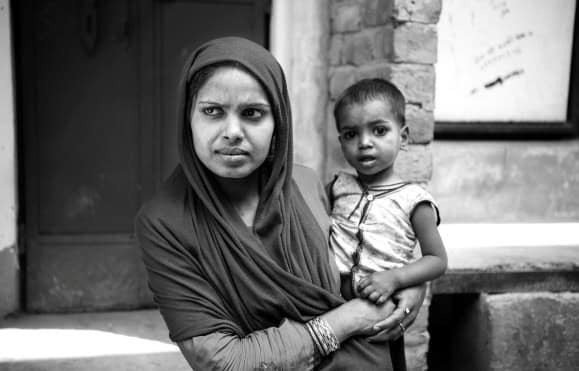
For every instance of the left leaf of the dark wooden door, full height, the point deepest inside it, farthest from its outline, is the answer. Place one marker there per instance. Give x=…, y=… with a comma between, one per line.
x=80, y=112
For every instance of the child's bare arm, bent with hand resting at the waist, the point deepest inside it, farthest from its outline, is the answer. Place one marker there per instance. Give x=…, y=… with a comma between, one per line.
x=379, y=286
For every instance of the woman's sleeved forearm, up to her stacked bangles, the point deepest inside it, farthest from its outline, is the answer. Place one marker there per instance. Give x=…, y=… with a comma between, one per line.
x=287, y=347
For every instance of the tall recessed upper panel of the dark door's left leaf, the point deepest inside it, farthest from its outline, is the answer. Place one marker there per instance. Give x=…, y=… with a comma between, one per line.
x=87, y=124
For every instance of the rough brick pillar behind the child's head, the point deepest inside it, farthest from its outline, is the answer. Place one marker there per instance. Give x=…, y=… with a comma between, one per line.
x=395, y=40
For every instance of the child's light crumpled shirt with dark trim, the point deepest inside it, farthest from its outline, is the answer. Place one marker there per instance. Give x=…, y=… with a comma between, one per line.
x=374, y=221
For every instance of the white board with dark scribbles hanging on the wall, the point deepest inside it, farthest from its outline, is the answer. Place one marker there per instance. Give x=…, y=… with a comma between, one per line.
x=504, y=60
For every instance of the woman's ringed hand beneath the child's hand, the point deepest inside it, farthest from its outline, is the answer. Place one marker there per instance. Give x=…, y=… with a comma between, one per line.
x=408, y=302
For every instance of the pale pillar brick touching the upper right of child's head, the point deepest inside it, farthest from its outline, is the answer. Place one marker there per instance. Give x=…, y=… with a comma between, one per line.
x=416, y=82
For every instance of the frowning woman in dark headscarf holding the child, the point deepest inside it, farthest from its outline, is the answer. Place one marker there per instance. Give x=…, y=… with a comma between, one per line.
x=236, y=247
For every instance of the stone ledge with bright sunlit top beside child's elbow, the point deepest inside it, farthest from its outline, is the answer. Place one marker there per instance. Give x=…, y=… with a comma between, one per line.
x=495, y=258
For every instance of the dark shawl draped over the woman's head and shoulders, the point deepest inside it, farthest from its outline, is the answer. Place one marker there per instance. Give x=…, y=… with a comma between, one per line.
x=207, y=270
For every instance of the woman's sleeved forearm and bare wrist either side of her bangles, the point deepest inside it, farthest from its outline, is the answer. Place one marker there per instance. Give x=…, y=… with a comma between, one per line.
x=287, y=347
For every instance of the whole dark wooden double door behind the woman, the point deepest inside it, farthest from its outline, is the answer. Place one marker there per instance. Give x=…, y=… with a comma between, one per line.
x=96, y=82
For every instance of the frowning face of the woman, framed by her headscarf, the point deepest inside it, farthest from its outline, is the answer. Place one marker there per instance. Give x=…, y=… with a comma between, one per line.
x=231, y=123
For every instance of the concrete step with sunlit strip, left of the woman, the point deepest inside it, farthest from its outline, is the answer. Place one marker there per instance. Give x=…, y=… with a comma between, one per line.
x=131, y=340
